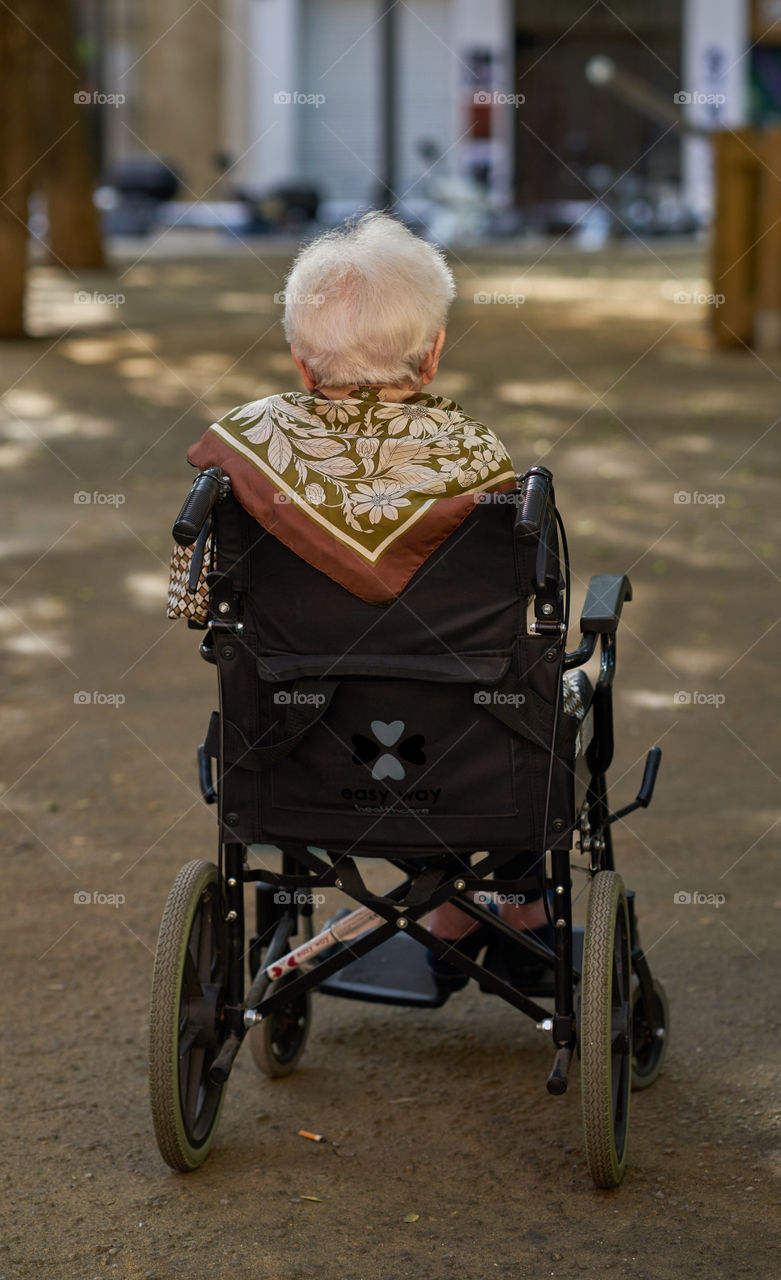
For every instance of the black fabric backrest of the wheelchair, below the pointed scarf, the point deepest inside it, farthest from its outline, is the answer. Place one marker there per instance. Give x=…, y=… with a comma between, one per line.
x=410, y=729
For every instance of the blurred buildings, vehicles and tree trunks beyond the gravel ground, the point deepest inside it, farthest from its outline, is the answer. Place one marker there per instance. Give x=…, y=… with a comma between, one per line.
x=511, y=121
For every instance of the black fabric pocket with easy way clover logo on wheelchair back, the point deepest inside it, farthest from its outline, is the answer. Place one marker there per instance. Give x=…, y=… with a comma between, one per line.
x=409, y=752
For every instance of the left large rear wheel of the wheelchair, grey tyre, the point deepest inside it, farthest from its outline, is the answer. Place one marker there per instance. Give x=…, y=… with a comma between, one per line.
x=185, y=1018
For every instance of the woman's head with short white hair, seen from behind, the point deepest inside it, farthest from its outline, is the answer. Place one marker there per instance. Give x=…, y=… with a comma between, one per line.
x=364, y=303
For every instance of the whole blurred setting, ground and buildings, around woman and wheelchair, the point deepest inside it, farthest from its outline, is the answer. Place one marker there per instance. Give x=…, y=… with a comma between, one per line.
x=606, y=181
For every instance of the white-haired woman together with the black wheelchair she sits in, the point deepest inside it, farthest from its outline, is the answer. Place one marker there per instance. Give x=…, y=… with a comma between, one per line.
x=387, y=607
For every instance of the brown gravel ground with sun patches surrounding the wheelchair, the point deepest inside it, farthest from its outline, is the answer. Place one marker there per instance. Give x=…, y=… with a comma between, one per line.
x=445, y=1114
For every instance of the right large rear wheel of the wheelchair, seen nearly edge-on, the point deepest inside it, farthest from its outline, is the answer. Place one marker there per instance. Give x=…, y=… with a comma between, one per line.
x=606, y=1035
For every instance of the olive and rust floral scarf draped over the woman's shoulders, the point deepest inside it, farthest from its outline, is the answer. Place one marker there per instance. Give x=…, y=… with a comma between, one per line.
x=364, y=490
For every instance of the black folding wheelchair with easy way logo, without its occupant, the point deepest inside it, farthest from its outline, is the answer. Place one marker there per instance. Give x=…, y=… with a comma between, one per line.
x=449, y=734
